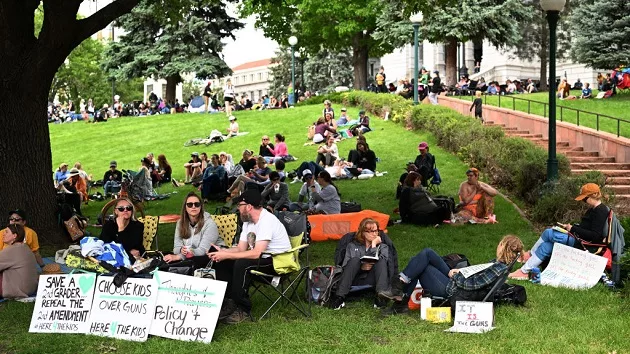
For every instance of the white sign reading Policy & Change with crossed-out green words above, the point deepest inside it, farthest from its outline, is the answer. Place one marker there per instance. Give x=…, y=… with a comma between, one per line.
x=187, y=308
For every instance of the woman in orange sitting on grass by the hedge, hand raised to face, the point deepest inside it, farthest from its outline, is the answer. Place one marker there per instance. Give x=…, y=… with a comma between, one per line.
x=476, y=199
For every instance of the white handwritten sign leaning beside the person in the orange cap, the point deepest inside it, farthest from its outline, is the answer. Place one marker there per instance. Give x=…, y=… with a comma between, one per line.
x=572, y=268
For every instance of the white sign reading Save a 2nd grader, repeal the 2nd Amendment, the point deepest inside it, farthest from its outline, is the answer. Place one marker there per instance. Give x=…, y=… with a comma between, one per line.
x=63, y=303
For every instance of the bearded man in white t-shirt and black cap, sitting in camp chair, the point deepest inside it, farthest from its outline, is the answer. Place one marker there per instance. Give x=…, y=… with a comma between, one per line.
x=262, y=232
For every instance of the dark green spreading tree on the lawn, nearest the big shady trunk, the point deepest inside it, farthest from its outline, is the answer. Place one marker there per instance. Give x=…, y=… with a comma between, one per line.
x=165, y=48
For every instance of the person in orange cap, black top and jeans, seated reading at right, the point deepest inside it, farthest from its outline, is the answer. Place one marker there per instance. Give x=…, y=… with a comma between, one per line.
x=591, y=228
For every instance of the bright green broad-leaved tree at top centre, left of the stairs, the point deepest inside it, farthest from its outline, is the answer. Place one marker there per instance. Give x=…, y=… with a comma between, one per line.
x=334, y=24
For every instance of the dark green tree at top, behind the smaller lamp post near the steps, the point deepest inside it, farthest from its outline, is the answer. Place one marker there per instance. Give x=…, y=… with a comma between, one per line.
x=453, y=21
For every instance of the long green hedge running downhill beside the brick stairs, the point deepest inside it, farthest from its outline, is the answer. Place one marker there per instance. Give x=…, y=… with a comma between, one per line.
x=515, y=164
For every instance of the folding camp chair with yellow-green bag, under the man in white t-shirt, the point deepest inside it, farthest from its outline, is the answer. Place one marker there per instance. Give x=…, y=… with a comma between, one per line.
x=290, y=273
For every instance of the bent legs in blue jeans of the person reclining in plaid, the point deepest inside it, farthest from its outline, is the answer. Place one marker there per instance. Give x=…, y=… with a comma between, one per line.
x=428, y=267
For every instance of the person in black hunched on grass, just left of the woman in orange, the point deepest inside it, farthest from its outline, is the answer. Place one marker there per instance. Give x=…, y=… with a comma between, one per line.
x=416, y=205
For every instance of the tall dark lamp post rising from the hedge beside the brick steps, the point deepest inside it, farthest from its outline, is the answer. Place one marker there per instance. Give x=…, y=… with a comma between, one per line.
x=552, y=8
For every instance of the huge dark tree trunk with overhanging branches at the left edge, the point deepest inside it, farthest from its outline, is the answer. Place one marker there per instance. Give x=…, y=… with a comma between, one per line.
x=29, y=61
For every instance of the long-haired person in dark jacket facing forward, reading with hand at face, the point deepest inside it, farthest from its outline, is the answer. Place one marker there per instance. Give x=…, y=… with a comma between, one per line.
x=365, y=253
